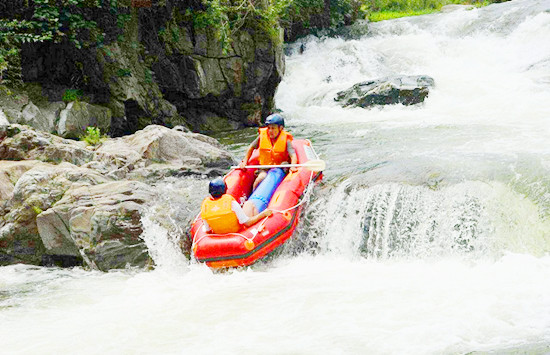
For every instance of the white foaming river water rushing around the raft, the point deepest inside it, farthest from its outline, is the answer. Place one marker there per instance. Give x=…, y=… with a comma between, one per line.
x=430, y=233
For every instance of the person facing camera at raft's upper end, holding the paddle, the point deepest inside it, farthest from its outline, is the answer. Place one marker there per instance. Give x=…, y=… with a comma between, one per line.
x=275, y=146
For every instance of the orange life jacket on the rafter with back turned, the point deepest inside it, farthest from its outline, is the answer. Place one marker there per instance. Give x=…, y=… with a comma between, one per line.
x=219, y=215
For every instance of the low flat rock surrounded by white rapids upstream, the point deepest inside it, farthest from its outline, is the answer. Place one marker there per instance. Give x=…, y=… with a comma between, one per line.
x=406, y=90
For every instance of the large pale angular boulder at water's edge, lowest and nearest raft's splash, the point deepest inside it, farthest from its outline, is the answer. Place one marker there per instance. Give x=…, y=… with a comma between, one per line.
x=102, y=223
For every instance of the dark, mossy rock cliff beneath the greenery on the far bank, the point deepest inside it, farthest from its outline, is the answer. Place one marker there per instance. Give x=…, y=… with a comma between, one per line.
x=158, y=68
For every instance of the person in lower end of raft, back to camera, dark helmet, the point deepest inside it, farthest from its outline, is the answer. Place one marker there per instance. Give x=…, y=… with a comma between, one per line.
x=222, y=214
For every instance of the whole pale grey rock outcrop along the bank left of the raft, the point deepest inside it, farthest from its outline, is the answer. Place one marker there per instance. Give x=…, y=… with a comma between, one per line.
x=64, y=203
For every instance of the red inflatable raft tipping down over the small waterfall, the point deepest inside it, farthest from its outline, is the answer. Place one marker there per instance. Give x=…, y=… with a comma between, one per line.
x=251, y=243
